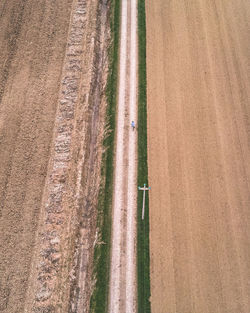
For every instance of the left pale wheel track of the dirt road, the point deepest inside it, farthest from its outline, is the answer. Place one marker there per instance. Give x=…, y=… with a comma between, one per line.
x=119, y=173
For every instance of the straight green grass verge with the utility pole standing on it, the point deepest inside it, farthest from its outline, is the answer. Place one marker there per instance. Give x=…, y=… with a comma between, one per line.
x=143, y=261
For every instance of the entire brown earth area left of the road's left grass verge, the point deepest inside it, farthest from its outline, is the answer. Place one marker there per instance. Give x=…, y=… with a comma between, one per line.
x=53, y=67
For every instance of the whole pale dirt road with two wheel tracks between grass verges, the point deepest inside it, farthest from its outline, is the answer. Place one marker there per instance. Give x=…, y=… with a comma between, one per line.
x=123, y=258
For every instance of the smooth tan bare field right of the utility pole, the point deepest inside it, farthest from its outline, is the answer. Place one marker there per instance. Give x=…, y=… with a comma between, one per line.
x=198, y=58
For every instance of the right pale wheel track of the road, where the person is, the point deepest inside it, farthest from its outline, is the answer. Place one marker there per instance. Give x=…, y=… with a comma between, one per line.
x=131, y=196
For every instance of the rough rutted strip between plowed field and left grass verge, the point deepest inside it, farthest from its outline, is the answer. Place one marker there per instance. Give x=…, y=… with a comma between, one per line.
x=60, y=279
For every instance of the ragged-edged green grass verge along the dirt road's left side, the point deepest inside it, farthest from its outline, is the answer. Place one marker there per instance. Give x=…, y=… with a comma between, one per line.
x=99, y=299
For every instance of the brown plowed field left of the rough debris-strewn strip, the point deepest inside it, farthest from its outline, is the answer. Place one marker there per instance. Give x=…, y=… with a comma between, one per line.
x=33, y=36
